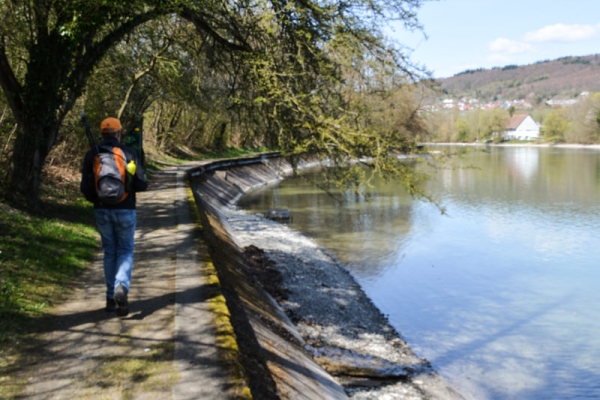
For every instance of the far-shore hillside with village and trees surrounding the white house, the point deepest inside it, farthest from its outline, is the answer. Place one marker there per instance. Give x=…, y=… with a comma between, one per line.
x=562, y=96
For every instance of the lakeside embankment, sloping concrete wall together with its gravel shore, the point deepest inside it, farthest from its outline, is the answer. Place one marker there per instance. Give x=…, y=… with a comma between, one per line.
x=305, y=328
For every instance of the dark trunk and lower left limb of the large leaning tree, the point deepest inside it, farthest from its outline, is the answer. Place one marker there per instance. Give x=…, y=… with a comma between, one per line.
x=60, y=43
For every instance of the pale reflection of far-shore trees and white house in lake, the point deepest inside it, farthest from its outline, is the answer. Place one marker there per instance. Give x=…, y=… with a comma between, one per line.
x=535, y=177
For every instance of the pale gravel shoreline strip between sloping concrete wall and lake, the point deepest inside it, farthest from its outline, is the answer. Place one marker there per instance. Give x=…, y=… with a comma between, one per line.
x=335, y=323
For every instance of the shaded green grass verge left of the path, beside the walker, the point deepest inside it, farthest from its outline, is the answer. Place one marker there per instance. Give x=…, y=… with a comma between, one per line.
x=39, y=257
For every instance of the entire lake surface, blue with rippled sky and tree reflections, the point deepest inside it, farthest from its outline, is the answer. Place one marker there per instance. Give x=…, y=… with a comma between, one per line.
x=501, y=294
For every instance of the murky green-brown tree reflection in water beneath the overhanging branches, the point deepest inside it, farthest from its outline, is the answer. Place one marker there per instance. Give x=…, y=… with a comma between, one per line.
x=376, y=224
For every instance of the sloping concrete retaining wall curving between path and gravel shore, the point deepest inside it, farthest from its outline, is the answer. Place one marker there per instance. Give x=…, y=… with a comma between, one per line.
x=272, y=351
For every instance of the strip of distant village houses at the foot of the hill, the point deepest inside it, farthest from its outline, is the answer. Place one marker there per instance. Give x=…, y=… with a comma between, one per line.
x=466, y=104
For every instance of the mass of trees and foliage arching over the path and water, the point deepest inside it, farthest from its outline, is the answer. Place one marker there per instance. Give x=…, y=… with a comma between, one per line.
x=305, y=76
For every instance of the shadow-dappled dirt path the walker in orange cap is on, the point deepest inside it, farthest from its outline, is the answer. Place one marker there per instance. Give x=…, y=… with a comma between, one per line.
x=165, y=348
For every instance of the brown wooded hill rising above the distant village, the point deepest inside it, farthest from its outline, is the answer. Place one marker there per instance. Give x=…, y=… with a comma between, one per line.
x=563, y=78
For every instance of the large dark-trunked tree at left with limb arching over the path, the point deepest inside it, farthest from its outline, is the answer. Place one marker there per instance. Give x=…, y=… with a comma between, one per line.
x=49, y=49
